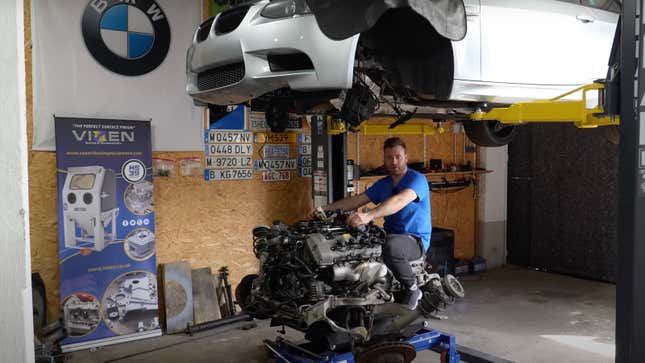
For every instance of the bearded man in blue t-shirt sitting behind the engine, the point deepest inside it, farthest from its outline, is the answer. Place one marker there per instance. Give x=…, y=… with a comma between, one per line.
x=403, y=199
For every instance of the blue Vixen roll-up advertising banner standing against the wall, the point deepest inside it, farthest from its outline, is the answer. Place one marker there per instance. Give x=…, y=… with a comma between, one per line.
x=106, y=231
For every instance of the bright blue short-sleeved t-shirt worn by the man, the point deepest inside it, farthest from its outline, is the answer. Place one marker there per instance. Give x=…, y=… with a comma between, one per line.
x=414, y=218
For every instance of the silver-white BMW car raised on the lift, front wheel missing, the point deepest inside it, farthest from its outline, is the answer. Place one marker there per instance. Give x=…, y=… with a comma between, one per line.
x=289, y=55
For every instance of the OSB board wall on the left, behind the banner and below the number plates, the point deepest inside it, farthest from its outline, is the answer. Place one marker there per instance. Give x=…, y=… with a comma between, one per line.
x=206, y=223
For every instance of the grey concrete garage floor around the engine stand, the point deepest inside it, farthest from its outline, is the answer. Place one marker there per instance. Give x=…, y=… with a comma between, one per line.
x=511, y=312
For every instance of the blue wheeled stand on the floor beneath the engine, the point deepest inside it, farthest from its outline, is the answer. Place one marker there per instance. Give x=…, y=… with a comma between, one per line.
x=285, y=351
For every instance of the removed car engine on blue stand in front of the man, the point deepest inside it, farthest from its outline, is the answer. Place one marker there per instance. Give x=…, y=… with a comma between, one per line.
x=329, y=281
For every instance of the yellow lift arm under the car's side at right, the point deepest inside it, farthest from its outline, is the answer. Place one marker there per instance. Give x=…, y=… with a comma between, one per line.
x=554, y=110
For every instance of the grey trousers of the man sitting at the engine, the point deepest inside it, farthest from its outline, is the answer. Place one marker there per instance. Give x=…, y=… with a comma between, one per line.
x=398, y=250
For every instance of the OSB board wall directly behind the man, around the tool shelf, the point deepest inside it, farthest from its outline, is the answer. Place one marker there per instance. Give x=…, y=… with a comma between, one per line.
x=453, y=210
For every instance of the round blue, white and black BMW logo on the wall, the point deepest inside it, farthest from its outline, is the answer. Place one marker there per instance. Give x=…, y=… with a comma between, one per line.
x=129, y=37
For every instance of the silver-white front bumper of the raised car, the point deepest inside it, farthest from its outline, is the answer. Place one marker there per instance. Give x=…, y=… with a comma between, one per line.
x=237, y=61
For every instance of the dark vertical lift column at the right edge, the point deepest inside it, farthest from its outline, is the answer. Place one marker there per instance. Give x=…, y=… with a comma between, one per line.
x=630, y=289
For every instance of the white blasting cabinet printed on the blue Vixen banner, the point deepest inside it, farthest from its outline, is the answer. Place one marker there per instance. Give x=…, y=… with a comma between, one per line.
x=89, y=206
